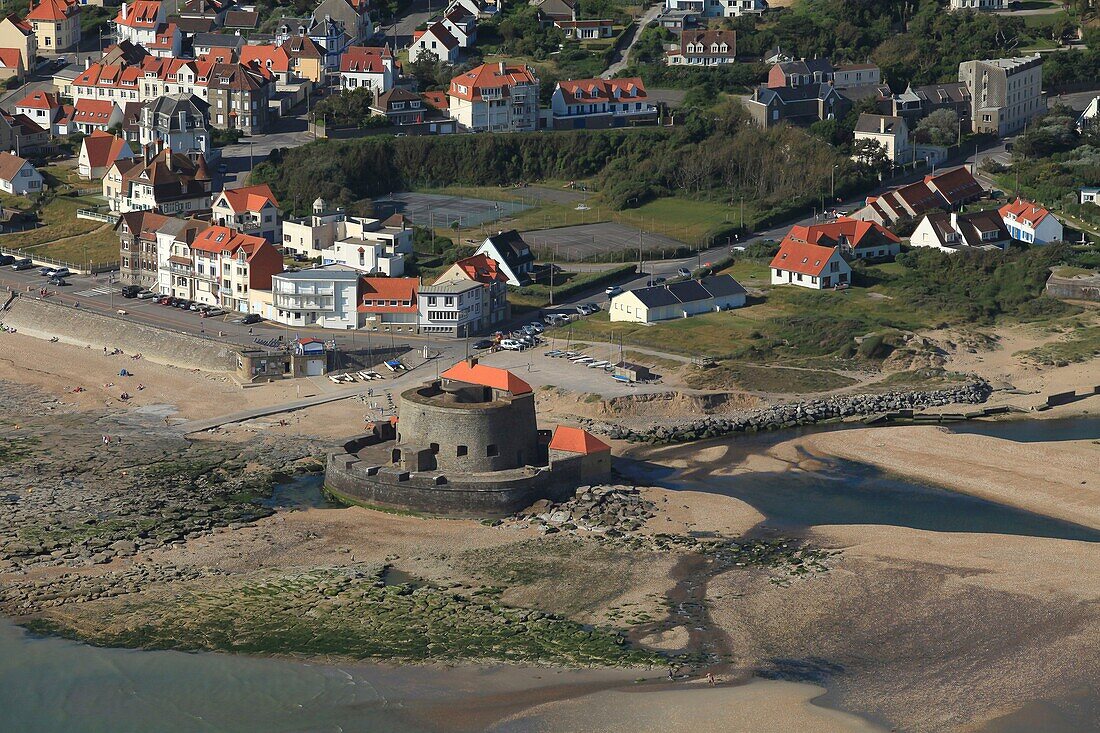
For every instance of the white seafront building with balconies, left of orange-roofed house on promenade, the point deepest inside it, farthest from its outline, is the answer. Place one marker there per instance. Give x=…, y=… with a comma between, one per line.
x=326, y=297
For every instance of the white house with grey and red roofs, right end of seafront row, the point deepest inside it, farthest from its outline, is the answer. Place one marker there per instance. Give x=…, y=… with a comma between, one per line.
x=469, y=299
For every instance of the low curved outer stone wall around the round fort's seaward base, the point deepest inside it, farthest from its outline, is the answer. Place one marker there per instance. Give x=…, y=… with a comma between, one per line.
x=350, y=480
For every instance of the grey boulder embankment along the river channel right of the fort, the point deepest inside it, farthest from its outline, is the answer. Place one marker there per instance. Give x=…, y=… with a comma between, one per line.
x=796, y=414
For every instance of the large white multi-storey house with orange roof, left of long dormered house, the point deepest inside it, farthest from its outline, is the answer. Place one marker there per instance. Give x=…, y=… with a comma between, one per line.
x=496, y=97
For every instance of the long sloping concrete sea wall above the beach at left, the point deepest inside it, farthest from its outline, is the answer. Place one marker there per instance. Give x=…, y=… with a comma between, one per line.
x=46, y=320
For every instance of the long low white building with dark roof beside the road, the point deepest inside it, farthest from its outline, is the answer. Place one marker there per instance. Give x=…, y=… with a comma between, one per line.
x=681, y=300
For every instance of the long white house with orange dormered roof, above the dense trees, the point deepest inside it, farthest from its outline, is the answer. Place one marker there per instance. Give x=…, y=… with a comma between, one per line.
x=598, y=104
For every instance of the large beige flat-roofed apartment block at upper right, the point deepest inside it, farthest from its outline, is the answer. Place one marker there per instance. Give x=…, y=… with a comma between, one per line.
x=1006, y=94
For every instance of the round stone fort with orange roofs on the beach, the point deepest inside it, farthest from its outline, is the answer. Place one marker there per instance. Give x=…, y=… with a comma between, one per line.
x=467, y=444
